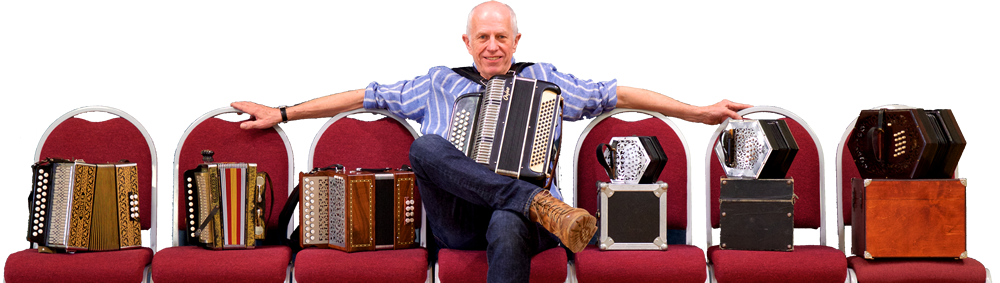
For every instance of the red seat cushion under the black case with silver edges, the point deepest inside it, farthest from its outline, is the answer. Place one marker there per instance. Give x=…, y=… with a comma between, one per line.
x=679, y=263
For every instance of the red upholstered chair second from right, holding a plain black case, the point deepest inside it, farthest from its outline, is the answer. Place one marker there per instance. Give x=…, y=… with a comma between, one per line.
x=807, y=263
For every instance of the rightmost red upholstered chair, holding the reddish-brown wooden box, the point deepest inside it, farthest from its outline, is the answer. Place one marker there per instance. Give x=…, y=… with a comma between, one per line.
x=885, y=270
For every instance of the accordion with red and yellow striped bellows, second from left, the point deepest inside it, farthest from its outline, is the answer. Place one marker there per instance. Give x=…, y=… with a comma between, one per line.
x=225, y=205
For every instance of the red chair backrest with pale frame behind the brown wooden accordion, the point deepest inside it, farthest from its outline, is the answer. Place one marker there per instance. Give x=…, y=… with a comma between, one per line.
x=355, y=143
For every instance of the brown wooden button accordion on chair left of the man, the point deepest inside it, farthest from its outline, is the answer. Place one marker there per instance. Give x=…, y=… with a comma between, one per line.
x=358, y=210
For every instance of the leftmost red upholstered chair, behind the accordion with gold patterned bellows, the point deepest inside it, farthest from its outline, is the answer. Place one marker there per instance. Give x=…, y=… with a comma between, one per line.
x=107, y=141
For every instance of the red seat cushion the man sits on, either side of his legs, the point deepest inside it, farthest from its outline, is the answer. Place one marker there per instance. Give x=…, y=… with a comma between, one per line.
x=470, y=266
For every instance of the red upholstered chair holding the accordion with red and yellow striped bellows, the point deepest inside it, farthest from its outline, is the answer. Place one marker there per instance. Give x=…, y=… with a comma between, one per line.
x=272, y=152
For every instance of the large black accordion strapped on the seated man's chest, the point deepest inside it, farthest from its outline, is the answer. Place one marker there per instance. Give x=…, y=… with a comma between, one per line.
x=510, y=127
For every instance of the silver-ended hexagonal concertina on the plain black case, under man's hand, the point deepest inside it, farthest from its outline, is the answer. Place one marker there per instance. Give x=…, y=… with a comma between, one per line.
x=756, y=149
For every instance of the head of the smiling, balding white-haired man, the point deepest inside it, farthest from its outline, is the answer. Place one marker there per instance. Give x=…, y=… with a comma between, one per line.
x=491, y=37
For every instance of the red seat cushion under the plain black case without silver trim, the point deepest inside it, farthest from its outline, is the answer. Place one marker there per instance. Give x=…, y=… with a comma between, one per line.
x=805, y=264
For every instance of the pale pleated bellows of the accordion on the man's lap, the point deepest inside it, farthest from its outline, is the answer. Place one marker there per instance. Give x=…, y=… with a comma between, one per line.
x=490, y=112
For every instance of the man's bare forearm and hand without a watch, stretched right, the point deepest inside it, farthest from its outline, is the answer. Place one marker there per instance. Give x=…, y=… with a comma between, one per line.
x=637, y=98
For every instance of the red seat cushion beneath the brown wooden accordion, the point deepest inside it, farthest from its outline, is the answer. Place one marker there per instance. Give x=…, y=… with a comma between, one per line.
x=328, y=265
